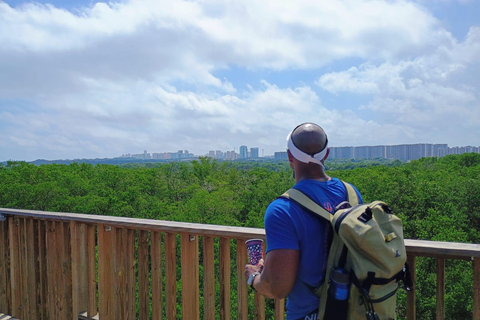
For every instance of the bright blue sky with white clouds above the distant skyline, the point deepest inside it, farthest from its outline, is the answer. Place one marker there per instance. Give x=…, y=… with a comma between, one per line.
x=87, y=79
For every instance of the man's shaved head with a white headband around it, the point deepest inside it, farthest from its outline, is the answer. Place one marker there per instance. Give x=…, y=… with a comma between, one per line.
x=308, y=143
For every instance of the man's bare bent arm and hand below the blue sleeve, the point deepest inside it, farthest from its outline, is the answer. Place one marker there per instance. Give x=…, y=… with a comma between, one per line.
x=278, y=274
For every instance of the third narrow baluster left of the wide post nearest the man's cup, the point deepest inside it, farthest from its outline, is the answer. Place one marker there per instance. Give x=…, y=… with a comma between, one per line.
x=143, y=275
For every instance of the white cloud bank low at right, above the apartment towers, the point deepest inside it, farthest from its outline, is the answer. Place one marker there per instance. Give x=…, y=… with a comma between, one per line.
x=424, y=95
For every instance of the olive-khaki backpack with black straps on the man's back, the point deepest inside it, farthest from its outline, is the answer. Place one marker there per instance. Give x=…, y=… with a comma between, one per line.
x=368, y=244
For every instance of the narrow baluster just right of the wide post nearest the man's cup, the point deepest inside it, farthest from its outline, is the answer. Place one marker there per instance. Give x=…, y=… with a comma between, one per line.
x=208, y=279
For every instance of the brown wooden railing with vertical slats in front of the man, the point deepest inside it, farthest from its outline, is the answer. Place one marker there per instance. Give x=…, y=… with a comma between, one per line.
x=78, y=266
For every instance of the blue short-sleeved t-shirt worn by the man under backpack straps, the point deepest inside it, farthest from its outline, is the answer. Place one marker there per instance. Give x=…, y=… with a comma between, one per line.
x=288, y=226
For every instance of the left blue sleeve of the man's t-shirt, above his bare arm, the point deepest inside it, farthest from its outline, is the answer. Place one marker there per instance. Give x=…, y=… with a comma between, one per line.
x=279, y=227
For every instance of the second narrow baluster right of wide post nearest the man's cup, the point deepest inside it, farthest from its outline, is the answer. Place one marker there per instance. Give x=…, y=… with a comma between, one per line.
x=225, y=279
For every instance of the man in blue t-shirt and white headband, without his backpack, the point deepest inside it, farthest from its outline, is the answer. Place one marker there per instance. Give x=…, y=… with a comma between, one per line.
x=298, y=241
